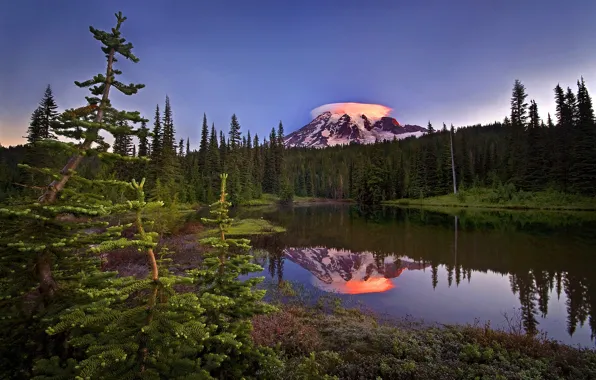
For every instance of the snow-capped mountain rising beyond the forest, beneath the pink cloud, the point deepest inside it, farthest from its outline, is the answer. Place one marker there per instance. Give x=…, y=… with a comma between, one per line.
x=337, y=128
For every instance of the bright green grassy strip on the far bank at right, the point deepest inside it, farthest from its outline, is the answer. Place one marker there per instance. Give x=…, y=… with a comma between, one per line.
x=505, y=197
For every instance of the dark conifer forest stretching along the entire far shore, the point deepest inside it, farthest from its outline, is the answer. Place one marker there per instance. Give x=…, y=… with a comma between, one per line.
x=521, y=153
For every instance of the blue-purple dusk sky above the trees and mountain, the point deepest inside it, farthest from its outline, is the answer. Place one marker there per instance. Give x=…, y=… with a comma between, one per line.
x=443, y=61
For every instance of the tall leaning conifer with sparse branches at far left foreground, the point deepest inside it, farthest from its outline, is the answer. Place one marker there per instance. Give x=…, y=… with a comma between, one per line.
x=41, y=243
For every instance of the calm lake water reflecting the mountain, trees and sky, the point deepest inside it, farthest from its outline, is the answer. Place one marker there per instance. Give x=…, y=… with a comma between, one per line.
x=445, y=268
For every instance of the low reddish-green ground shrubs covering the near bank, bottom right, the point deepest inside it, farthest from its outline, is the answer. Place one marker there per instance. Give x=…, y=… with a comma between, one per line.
x=332, y=342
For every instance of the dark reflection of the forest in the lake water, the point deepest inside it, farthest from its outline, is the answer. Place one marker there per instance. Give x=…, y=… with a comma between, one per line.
x=536, y=262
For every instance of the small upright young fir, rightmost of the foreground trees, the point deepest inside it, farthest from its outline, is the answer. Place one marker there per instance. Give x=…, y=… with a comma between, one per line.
x=232, y=303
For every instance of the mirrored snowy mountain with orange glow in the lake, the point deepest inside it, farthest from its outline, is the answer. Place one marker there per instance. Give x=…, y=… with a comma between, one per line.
x=344, y=271
